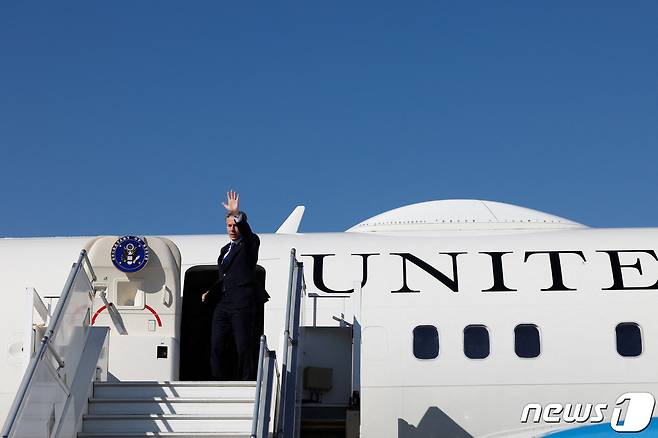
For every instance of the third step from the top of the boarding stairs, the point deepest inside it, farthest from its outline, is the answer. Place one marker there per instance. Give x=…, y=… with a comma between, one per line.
x=111, y=424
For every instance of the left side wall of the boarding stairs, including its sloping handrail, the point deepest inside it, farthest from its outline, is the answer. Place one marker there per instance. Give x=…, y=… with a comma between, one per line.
x=53, y=390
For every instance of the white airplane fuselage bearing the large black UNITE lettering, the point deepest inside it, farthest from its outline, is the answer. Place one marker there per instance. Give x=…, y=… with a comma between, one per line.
x=574, y=285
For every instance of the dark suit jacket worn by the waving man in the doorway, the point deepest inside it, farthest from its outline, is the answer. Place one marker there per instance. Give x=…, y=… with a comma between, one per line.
x=237, y=287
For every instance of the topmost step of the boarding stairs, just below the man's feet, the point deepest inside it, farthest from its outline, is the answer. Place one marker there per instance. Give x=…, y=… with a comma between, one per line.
x=138, y=389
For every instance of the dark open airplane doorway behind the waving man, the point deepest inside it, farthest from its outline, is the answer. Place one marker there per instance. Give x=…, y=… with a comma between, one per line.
x=196, y=318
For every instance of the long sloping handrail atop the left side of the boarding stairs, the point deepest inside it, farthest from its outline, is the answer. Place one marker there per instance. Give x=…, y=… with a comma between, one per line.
x=45, y=345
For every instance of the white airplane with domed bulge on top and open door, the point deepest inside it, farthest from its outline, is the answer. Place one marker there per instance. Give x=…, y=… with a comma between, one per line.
x=455, y=318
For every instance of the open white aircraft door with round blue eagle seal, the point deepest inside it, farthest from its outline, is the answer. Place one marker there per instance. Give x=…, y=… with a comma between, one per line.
x=138, y=297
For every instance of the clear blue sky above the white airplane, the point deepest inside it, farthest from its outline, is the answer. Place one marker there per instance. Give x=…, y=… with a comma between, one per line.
x=136, y=117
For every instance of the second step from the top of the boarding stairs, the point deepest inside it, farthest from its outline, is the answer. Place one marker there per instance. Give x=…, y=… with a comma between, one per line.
x=157, y=405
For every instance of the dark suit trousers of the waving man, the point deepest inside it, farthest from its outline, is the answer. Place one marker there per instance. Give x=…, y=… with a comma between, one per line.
x=237, y=327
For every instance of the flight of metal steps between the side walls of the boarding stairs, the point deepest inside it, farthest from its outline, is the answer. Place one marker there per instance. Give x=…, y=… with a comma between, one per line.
x=170, y=409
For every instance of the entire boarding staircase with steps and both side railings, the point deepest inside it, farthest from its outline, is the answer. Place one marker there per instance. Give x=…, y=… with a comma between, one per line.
x=64, y=392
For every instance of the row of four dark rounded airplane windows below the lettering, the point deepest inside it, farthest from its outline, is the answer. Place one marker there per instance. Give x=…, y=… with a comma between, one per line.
x=526, y=341
